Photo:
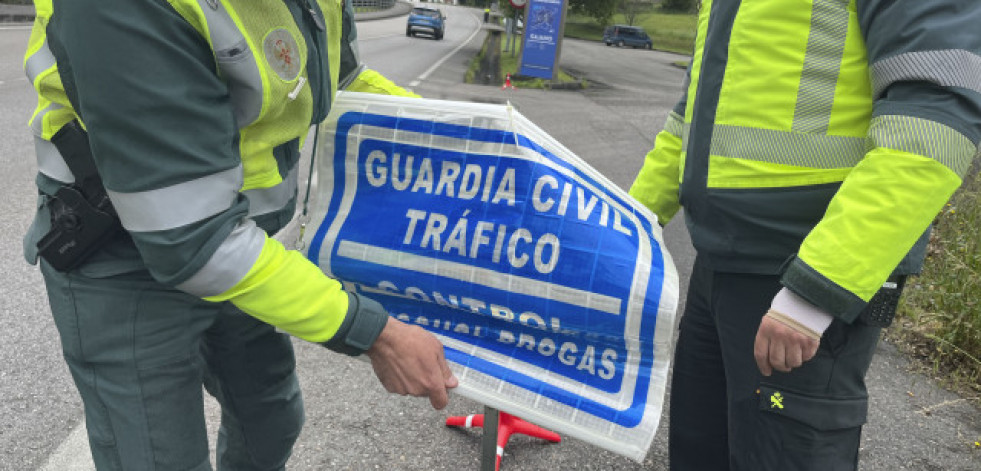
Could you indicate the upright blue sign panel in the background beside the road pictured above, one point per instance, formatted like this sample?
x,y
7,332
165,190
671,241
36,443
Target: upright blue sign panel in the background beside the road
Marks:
x,y
541,38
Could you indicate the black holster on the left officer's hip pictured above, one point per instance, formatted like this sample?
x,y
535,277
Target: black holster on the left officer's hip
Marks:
x,y
82,217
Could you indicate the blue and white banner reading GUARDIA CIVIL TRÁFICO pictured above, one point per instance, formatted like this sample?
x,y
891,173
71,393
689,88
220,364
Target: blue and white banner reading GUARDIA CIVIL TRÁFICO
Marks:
x,y
549,286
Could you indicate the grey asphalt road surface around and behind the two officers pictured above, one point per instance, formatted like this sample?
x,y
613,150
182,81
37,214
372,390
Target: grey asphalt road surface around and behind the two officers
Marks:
x,y
352,424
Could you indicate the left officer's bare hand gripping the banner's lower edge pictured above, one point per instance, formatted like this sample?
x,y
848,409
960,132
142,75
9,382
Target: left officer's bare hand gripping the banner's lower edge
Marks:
x,y
409,360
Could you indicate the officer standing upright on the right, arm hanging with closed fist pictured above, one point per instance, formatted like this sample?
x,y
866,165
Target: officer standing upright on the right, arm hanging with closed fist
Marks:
x,y
815,143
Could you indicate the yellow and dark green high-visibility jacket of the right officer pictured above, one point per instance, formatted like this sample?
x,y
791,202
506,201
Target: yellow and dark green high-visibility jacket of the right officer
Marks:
x,y
819,138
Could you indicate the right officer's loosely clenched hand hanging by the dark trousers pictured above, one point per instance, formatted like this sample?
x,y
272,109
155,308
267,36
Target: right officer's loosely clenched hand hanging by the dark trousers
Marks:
x,y
779,347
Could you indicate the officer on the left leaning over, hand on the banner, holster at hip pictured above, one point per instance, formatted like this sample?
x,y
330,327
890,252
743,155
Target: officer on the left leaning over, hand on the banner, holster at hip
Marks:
x,y
168,135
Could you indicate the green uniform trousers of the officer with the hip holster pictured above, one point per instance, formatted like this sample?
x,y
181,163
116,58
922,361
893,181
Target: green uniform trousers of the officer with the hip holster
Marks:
x,y
139,353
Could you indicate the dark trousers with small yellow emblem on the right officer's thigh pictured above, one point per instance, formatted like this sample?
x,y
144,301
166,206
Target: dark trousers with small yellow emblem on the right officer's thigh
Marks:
x,y
725,415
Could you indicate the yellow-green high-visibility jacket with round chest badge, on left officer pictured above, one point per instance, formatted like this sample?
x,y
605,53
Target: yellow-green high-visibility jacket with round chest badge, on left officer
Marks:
x,y
196,112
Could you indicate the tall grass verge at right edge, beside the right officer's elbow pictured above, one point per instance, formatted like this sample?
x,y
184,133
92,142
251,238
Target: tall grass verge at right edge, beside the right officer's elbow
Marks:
x,y
940,317
